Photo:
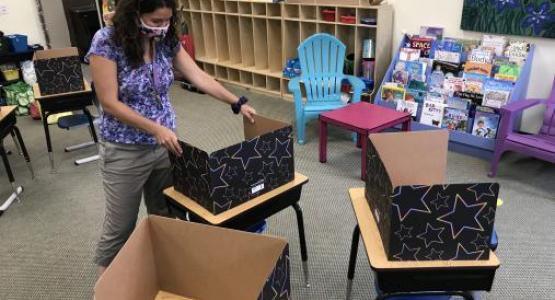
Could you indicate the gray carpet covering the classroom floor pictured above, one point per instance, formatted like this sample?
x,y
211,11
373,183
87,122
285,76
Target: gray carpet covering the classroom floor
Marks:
x,y
47,241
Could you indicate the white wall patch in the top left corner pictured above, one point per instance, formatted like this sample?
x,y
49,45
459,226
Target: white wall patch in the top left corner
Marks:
x,y
22,17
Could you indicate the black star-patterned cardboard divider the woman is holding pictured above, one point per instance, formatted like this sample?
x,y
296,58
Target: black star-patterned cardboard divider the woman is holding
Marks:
x,y
233,175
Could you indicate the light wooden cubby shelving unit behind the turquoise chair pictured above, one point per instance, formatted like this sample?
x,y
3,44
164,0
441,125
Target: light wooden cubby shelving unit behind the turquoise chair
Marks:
x,y
248,42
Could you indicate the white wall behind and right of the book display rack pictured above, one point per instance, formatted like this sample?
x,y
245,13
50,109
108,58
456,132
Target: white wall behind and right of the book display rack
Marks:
x,y
411,14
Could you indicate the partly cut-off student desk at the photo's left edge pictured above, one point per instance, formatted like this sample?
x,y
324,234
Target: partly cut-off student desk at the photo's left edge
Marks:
x,y
7,126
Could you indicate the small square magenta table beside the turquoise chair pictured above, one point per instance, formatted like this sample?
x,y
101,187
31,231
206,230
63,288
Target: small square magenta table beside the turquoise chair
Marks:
x,y
362,118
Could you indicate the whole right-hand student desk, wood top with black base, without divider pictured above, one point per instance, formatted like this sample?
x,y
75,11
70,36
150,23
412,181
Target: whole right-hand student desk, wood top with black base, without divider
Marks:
x,y
396,278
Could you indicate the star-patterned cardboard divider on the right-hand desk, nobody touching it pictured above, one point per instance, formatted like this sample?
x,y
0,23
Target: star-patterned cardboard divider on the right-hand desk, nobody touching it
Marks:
x,y
419,215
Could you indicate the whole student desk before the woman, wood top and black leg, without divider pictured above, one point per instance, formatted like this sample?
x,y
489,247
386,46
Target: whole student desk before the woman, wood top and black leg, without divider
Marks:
x,y
246,215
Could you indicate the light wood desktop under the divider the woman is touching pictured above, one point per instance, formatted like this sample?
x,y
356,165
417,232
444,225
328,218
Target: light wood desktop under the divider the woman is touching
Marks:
x,y
202,212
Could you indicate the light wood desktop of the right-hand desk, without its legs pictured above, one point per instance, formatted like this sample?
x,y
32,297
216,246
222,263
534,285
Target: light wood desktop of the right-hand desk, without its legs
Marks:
x,y
376,252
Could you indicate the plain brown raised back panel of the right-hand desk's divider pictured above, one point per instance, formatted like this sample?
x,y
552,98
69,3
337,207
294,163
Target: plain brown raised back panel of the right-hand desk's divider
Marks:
x,y
413,158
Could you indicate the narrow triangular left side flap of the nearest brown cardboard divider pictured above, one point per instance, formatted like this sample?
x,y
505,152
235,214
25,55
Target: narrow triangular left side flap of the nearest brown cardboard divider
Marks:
x,y
132,274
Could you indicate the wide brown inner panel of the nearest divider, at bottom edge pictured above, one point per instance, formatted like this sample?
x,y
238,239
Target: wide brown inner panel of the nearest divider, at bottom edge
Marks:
x,y
211,263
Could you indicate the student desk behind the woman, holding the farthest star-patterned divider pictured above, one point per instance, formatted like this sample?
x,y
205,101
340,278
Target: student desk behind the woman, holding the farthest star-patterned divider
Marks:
x,y
53,104
